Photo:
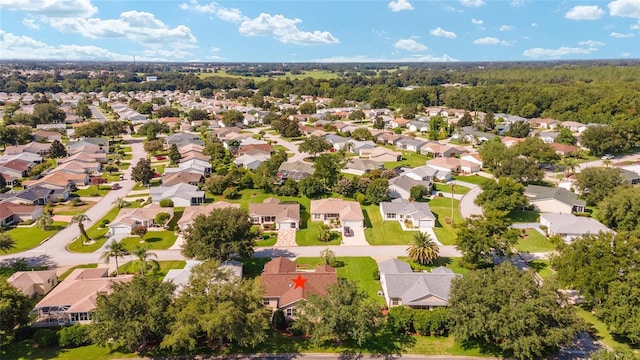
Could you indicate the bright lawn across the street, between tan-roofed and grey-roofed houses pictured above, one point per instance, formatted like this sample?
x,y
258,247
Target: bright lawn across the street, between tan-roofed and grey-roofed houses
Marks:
x,y
380,232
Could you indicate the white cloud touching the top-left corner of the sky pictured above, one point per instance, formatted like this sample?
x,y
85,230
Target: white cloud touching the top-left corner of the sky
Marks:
x,y
52,8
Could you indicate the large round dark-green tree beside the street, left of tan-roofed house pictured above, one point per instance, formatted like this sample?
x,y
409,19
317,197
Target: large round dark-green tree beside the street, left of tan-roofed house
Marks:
x,y
222,233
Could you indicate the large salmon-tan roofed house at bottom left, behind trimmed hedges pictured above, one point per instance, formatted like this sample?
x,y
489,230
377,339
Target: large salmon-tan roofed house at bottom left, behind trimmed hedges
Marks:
x,y
74,299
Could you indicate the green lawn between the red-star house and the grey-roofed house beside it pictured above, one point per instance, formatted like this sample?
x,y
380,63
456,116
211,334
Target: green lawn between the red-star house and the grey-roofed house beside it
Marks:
x,y
360,270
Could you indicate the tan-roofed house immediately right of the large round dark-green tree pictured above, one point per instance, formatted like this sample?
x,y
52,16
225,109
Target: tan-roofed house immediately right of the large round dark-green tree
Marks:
x,y
285,215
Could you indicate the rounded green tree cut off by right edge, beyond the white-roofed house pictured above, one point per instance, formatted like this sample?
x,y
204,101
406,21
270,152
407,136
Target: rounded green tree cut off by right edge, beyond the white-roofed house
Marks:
x,y
621,210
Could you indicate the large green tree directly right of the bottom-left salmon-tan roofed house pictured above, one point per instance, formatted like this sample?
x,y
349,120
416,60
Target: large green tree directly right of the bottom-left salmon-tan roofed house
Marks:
x,y
134,315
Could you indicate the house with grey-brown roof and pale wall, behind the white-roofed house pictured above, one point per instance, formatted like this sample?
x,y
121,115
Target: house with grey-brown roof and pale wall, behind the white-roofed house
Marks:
x,y
554,200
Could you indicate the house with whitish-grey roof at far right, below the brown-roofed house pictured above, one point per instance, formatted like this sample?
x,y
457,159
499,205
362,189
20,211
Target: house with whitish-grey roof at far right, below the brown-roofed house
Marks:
x,y
569,226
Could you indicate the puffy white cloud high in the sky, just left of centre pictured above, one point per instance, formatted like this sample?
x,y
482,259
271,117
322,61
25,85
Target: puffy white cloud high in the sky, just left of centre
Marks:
x,y
285,30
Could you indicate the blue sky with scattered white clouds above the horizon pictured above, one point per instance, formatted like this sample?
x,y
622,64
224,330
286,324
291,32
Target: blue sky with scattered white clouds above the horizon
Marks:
x,y
319,30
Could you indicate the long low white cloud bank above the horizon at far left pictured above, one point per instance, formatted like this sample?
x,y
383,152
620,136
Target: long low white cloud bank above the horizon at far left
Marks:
x,y
24,47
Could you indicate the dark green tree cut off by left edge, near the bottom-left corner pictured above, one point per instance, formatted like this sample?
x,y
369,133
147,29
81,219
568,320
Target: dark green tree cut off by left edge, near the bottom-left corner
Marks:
x,y
14,307
